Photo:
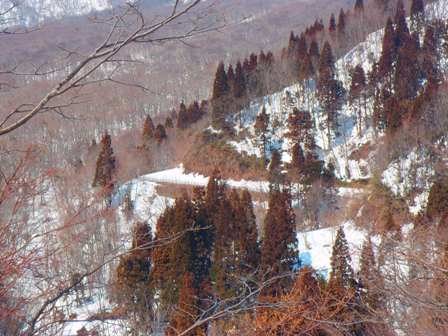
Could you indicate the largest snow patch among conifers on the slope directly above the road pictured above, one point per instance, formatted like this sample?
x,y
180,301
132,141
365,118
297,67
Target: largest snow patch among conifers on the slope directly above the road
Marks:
x,y
279,106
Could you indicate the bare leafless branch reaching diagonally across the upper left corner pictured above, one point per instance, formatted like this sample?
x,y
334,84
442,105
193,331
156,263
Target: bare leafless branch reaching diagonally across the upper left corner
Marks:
x,y
127,26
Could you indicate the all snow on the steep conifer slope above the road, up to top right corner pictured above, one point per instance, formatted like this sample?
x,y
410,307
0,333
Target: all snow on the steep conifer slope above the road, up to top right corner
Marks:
x,y
344,149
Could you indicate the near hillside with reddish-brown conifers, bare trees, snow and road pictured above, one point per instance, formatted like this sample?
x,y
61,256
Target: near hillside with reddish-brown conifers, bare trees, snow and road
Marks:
x,y
305,195
